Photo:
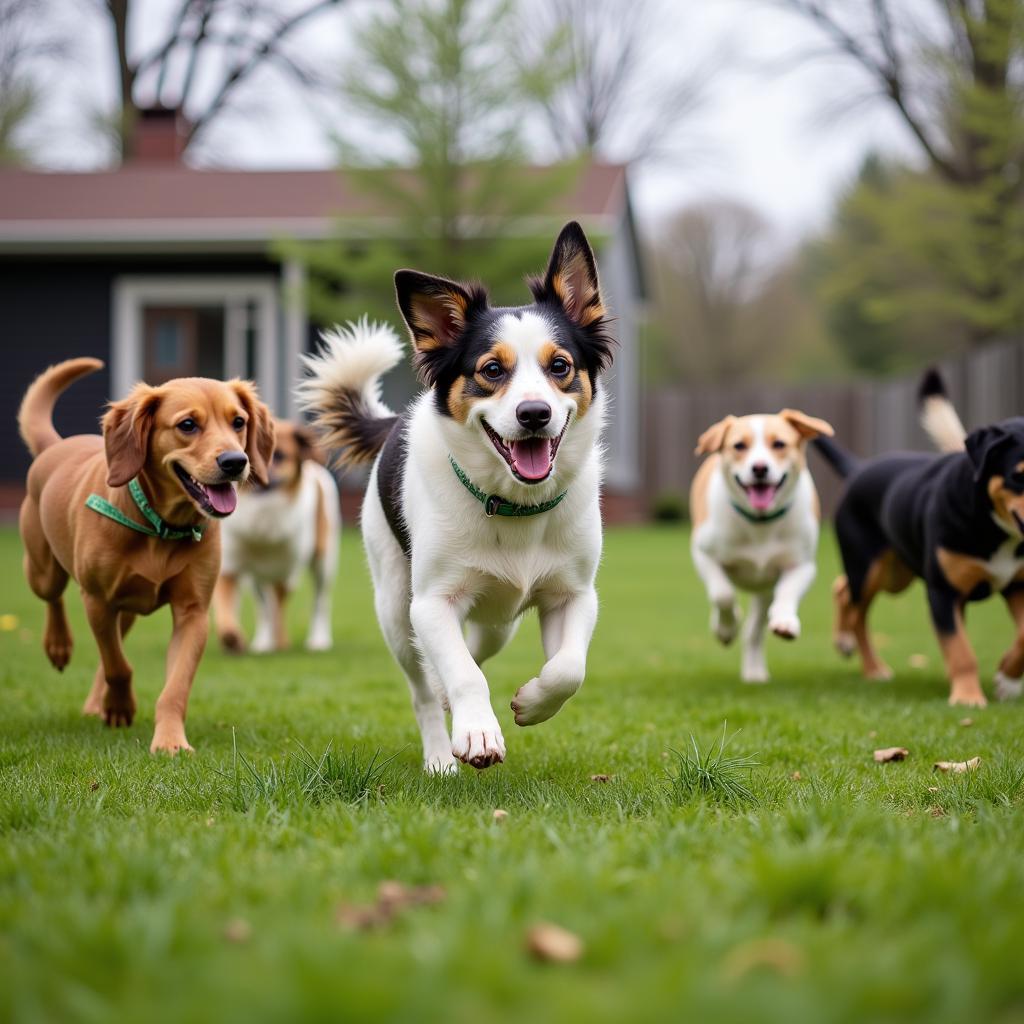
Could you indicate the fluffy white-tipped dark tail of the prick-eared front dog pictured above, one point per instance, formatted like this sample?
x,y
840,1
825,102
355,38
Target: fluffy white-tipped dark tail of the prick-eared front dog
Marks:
x,y
343,389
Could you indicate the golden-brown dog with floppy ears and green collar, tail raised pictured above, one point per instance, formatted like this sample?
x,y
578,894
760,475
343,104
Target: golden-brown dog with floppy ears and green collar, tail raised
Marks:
x,y
187,443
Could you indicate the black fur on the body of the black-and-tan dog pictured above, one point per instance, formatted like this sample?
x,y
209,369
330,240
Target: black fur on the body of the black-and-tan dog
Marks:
x,y
917,504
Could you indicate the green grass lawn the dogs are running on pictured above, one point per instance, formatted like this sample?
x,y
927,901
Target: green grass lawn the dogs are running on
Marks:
x,y
208,888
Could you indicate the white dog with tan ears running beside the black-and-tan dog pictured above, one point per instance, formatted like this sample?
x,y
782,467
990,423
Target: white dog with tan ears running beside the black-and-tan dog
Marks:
x,y
756,519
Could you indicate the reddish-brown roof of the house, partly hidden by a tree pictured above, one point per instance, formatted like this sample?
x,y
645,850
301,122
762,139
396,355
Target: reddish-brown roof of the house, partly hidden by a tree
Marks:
x,y
179,203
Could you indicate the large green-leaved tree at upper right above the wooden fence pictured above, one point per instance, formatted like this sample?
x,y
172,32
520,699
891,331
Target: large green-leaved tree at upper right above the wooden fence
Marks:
x,y
940,249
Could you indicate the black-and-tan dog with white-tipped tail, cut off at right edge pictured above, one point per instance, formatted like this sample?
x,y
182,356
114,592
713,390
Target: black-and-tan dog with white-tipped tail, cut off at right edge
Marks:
x,y
956,521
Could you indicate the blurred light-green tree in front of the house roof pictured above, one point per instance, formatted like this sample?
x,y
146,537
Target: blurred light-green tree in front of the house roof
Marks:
x,y
435,142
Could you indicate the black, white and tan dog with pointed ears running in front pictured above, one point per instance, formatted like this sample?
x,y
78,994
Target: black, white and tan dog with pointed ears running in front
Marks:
x,y
483,501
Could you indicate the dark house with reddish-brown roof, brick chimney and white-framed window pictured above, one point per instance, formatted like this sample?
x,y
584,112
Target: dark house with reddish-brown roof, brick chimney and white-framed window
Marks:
x,y
163,271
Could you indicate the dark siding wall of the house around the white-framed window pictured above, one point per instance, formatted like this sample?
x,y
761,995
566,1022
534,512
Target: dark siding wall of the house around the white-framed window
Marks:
x,y
58,309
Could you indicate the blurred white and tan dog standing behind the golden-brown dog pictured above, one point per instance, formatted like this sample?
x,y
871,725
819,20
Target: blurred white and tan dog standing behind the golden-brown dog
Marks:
x,y
280,531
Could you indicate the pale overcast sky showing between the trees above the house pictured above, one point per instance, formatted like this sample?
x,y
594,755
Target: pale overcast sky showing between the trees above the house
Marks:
x,y
761,138
